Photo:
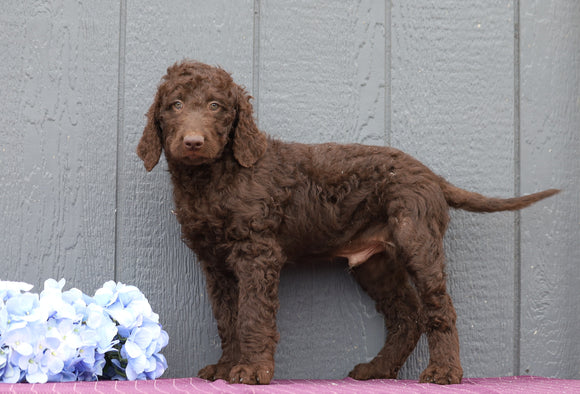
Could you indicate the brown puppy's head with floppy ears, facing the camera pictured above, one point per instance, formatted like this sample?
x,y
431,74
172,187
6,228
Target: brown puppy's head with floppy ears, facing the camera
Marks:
x,y
197,111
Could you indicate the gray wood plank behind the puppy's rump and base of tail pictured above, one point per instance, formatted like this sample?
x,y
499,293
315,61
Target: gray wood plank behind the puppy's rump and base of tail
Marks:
x,y
453,109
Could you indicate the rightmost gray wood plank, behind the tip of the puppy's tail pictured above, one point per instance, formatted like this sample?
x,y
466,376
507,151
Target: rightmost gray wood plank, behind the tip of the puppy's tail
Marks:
x,y
550,146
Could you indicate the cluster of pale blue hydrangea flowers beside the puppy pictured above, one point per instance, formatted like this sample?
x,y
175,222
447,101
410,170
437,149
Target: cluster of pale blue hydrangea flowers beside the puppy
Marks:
x,y
66,336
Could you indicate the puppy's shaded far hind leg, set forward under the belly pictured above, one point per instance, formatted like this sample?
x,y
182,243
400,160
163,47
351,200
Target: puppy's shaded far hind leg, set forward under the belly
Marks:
x,y
387,283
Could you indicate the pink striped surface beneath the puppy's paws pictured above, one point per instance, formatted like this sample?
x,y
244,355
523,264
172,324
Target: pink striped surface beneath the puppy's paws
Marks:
x,y
512,384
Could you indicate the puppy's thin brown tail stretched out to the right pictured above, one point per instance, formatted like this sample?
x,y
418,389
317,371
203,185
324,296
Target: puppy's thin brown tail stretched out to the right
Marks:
x,y
474,202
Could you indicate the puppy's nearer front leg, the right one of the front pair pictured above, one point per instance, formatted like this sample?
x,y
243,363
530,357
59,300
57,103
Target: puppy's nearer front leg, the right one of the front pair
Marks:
x,y
257,266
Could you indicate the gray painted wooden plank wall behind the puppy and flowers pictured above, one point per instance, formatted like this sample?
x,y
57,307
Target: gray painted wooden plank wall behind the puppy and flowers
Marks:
x,y
487,93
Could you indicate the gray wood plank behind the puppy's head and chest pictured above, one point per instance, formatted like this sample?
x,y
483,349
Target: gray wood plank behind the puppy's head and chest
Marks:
x,y
150,252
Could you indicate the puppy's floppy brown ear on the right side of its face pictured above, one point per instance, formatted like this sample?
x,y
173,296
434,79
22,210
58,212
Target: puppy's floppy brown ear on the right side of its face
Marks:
x,y
249,142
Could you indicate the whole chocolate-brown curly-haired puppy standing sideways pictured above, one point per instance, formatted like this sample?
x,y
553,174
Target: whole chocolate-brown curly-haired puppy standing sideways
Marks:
x,y
248,203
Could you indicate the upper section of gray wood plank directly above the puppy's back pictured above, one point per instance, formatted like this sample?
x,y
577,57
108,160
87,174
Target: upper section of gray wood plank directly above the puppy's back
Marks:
x,y
322,71
